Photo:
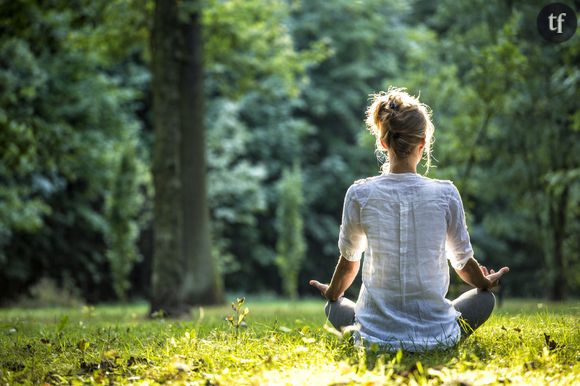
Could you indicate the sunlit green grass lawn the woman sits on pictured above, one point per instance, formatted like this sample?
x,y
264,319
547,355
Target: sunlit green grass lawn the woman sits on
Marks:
x,y
284,343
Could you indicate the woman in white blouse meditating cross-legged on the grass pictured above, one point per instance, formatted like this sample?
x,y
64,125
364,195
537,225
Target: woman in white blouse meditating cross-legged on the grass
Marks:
x,y
408,226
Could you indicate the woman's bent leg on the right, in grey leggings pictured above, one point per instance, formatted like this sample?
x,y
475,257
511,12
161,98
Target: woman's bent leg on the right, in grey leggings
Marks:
x,y
475,306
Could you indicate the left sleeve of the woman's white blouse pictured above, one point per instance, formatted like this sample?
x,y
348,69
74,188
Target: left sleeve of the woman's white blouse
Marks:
x,y
352,240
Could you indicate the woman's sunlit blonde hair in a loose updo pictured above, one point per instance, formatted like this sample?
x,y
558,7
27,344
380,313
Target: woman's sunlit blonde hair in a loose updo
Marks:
x,y
402,122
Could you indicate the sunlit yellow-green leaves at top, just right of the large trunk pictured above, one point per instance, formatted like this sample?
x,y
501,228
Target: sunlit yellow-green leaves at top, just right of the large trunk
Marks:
x,y
247,43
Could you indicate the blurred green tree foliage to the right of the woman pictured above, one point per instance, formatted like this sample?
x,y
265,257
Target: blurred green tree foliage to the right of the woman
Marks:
x,y
497,126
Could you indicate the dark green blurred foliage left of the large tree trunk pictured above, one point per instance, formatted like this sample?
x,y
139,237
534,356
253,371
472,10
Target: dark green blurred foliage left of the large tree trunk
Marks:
x,y
65,122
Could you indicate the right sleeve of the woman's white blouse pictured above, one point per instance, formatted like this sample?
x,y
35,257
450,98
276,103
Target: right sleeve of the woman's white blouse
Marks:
x,y
457,235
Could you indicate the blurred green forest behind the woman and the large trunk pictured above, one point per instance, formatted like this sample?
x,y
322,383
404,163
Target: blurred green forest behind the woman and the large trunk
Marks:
x,y
286,84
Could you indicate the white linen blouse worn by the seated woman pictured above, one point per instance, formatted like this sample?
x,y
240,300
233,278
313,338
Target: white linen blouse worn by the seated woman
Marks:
x,y
408,226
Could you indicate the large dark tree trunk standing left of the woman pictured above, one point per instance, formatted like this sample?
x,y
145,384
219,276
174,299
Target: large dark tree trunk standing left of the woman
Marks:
x,y
184,272
